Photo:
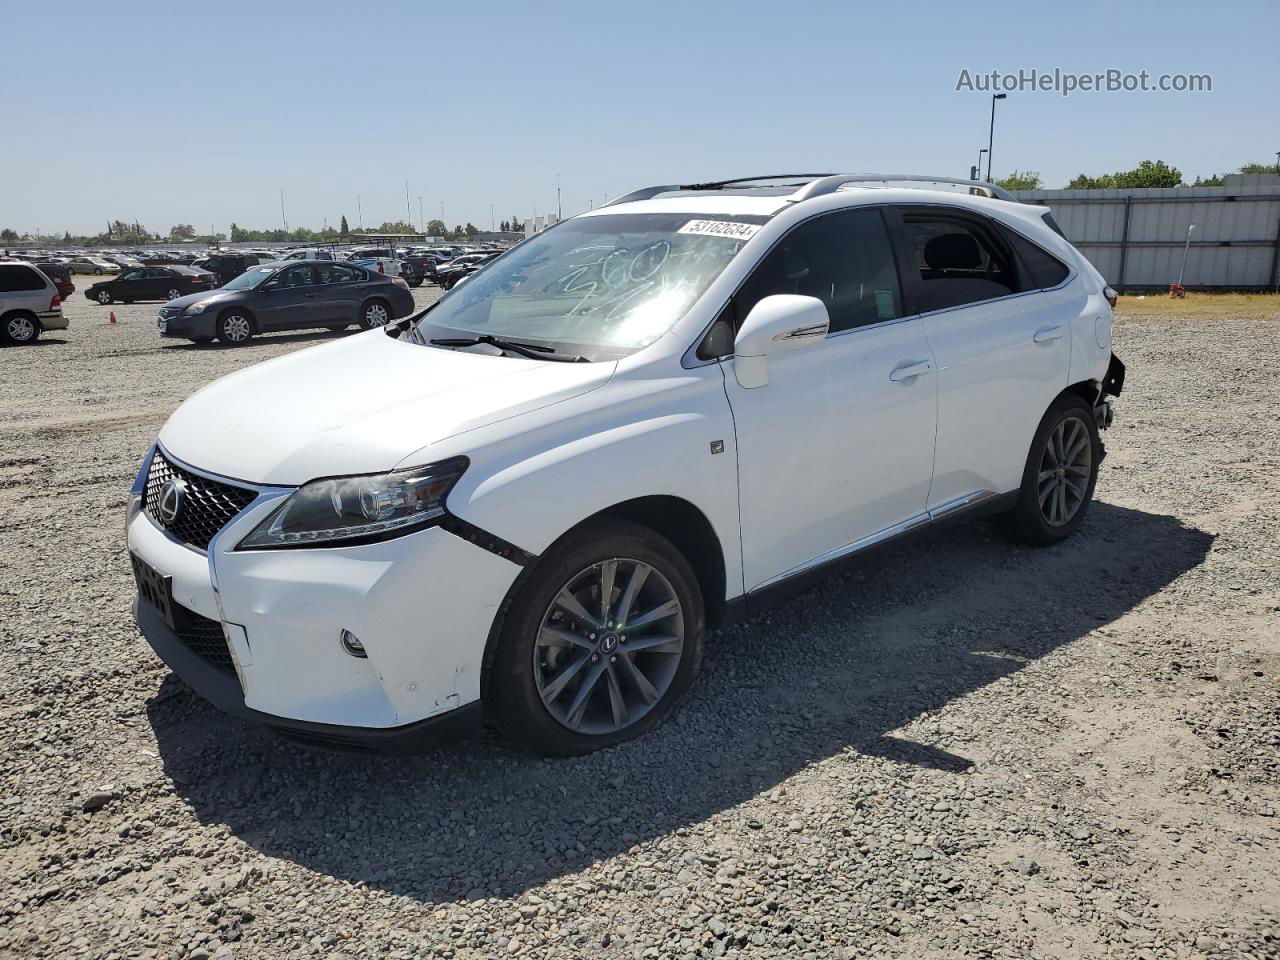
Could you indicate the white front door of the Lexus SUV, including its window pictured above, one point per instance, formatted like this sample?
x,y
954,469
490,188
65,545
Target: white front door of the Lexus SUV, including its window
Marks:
x,y
838,449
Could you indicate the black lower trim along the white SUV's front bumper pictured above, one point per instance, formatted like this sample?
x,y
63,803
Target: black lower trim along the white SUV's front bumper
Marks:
x,y
225,693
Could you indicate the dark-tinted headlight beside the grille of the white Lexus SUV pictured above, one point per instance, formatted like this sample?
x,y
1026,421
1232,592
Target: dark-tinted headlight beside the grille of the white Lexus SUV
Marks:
x,y
359,509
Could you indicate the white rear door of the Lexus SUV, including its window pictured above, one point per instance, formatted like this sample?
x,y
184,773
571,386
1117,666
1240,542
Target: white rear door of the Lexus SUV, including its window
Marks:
x,y
1002,346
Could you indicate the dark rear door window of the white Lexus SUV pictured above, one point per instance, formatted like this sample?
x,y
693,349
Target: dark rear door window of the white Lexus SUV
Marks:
x,y
959,260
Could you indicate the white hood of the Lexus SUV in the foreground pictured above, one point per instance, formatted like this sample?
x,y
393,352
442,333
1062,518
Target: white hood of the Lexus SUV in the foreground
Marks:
x,y
359,406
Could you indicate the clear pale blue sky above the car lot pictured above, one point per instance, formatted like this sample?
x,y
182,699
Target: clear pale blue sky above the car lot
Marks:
x,y
167,113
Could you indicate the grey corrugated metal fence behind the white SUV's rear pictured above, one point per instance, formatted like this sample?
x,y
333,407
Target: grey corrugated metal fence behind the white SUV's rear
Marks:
x,y
1137,237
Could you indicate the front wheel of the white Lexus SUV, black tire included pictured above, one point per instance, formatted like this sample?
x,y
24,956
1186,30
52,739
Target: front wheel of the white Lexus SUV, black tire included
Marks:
x,y
545,655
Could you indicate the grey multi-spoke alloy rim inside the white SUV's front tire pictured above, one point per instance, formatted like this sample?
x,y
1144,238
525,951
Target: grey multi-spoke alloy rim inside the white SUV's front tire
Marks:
x,y
609,647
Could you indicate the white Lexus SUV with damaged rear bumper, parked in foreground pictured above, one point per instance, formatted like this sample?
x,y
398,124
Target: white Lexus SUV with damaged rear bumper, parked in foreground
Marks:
x,y
531,502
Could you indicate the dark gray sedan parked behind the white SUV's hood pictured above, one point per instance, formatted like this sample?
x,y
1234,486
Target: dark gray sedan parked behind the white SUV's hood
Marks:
x,y
289,296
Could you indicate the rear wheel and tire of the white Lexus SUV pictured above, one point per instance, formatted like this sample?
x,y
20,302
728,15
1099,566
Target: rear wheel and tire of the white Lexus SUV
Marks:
x,y
1060,476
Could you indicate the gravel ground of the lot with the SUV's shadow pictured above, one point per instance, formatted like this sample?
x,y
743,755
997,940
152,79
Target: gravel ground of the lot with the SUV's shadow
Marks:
x,y
966,749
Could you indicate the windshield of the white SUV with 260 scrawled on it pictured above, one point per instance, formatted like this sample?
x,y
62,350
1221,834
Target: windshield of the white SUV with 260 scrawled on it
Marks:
x,y
596,286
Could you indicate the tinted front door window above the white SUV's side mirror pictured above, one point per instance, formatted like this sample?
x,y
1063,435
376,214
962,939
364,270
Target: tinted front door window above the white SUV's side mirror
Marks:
x,y
843,259
